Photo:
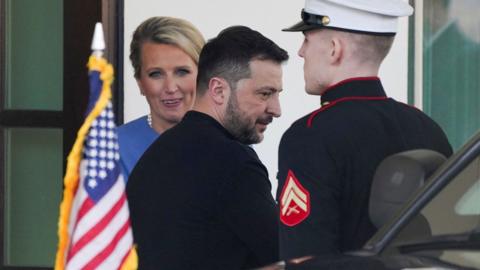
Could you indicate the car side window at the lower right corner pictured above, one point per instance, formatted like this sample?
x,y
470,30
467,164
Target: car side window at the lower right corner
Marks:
x,y
452,216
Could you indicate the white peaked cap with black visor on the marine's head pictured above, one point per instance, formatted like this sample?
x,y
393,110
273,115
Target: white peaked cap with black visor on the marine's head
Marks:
x,y
364,16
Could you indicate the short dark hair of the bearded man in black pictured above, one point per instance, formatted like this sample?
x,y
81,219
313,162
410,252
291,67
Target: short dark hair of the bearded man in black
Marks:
x,y
229,54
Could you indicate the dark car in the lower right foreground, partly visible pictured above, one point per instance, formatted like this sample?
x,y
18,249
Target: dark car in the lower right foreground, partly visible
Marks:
x,y
438,227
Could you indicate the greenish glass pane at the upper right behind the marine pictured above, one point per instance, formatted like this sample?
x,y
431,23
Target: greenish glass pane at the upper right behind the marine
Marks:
x,y
451,66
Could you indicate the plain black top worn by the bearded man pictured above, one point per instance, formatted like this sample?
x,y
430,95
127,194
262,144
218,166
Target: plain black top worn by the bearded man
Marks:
x,y
199,199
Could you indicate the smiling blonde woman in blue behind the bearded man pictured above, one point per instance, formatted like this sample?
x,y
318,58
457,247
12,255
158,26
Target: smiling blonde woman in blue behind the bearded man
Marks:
x,y
164,53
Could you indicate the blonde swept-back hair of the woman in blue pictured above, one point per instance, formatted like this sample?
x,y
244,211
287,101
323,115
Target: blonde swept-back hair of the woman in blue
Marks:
x,y
165,30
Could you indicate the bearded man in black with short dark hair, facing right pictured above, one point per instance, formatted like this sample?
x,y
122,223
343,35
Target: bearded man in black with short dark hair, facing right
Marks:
x,y
200,197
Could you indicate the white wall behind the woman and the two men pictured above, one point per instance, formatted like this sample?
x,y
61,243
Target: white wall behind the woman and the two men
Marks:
x,y
267,17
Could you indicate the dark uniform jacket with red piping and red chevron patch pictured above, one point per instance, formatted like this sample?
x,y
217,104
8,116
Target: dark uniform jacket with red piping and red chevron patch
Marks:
x,y
327,160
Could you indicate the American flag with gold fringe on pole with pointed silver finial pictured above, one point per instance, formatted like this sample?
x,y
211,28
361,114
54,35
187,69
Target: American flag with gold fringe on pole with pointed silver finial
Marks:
x,y
79,194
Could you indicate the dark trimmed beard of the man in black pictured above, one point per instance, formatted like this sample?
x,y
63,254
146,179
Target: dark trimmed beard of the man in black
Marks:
x,y
240,127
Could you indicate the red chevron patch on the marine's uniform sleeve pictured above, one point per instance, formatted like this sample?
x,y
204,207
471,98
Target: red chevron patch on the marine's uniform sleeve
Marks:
x,y
294,201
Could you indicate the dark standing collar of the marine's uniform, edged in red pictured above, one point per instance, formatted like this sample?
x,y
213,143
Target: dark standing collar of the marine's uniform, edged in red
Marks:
x,y
353,87
